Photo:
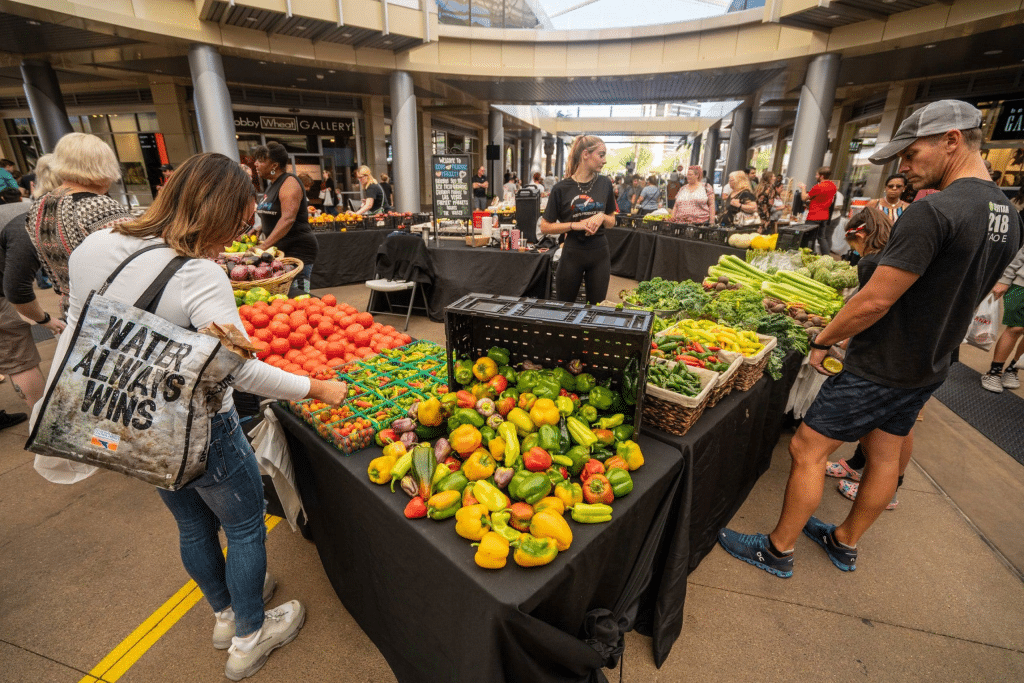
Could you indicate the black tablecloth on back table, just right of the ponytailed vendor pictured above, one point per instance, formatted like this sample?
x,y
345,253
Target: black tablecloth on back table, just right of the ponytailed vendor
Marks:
x,y
641,255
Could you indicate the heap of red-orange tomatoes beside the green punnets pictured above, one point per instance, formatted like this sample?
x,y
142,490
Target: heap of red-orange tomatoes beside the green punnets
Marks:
x,y
313,336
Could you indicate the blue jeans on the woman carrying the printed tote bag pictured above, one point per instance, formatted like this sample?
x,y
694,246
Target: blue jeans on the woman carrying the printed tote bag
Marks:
x,y
230,494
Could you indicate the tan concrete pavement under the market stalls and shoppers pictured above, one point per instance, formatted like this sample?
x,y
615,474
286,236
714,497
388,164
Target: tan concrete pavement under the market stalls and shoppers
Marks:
x,y
91,581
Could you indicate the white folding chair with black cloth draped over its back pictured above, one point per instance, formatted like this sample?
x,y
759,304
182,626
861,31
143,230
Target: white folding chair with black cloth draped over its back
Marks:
x,y
404,257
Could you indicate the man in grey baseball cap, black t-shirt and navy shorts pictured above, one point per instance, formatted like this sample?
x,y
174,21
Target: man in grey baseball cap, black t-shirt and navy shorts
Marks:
x,y
946,254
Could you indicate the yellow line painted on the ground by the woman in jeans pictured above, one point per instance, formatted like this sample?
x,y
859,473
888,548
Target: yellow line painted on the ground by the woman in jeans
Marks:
x,y
122,658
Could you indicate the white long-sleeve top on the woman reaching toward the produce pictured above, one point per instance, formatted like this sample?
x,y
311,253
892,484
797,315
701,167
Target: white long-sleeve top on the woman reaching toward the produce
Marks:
x,y
198,295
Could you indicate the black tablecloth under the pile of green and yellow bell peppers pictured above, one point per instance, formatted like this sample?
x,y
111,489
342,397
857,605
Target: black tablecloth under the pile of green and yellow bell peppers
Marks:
x,y
414,588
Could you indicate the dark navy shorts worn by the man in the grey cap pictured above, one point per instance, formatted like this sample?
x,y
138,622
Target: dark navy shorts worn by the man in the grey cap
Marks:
x,y
849,408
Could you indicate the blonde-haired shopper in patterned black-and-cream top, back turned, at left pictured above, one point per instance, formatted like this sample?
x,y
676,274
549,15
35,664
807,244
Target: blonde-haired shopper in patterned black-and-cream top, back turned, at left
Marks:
x,y
60,220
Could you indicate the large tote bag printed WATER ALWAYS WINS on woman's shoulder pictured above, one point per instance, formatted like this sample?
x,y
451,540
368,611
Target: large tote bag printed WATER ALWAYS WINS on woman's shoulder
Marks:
x,y
135,393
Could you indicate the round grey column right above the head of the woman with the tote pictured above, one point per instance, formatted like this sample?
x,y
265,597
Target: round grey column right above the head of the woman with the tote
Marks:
x,y
214,104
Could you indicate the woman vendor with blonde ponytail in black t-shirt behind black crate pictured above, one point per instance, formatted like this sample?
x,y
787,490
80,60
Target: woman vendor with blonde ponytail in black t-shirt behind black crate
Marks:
x,y
581,207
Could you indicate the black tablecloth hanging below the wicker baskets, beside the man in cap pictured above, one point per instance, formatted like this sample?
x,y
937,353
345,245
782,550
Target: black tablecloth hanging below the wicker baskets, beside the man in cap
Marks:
x,y
727,452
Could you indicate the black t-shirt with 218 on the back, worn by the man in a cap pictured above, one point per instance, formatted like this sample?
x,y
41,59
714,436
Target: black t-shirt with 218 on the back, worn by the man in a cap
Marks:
x,y
959,242
